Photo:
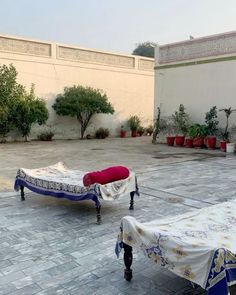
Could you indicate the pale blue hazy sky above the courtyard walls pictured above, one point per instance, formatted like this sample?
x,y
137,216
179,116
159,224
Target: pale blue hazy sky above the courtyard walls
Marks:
x,y
115,25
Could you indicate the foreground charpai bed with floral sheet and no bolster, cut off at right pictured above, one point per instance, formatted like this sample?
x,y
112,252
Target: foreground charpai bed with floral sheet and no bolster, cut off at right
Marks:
x,y
199,246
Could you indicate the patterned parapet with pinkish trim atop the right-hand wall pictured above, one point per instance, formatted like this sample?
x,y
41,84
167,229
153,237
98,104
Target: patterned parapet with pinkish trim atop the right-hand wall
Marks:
x,y
211,46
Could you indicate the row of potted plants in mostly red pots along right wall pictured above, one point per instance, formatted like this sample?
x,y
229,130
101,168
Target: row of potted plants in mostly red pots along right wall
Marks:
x,y
196,135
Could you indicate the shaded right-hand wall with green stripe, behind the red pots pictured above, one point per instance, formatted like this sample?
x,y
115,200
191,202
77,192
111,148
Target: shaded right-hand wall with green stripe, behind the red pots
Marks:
x,y
198,73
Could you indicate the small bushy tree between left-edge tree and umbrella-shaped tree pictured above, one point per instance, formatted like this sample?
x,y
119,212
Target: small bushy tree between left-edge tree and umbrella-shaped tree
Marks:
x,y
28,110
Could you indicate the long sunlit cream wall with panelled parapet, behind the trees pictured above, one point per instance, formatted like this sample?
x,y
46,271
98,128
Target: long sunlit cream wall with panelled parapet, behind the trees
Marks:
x,y
127,80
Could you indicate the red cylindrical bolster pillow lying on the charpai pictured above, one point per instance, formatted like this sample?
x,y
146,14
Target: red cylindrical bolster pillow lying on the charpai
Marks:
x,y
105,176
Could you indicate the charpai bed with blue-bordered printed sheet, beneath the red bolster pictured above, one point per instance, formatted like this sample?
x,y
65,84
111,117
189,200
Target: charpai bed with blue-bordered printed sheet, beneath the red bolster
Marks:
x,y
60,182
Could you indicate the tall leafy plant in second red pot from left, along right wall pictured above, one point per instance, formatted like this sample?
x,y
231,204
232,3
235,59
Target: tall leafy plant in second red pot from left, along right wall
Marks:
x,y
181,121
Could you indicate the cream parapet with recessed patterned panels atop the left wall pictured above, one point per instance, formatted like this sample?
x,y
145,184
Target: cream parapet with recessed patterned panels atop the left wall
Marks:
x,y
14,45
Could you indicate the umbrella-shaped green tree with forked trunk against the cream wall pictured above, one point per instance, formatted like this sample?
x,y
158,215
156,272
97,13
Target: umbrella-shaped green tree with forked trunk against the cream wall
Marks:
x,y
82,103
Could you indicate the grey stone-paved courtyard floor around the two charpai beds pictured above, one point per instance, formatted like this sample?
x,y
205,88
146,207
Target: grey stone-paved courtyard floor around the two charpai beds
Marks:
x,y
50,246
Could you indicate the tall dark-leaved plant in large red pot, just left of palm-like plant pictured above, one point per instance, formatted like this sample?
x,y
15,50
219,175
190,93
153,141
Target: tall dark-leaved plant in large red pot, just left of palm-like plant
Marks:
x,y
211,122
